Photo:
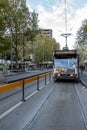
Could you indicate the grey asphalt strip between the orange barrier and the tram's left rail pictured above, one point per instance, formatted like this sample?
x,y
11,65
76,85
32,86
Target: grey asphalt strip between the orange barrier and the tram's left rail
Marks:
x,y
20,115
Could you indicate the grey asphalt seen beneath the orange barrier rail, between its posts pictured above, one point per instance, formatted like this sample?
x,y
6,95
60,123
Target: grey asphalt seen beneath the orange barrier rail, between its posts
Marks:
x,y
13,97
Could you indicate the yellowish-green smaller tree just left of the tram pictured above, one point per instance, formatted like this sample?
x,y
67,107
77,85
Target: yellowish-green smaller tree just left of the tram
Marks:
x,y
44,47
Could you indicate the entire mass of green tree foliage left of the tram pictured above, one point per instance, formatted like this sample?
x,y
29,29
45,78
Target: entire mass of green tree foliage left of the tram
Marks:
x,y
19,27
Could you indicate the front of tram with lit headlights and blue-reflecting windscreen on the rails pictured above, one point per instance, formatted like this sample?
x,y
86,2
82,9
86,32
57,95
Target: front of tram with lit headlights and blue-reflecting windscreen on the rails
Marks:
x,y
66,65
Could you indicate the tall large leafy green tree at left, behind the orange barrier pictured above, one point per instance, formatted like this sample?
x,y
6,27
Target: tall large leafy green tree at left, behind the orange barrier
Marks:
x,y
16,20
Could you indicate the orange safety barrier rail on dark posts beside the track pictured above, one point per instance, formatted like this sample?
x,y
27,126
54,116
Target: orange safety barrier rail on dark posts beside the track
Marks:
x,y
23,82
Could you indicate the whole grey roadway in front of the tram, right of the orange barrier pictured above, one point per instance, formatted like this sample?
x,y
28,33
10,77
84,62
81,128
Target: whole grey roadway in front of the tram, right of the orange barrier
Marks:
x,y
55,107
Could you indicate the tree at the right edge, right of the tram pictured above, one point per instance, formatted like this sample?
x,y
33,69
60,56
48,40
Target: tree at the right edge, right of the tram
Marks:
x,y
81,40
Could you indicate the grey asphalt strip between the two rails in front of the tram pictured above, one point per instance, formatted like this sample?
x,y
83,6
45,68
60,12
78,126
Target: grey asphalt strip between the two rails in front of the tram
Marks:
x,y
61,111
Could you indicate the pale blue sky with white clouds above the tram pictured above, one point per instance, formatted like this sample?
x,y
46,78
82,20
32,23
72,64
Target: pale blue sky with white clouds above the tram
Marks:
x,y
51,15
